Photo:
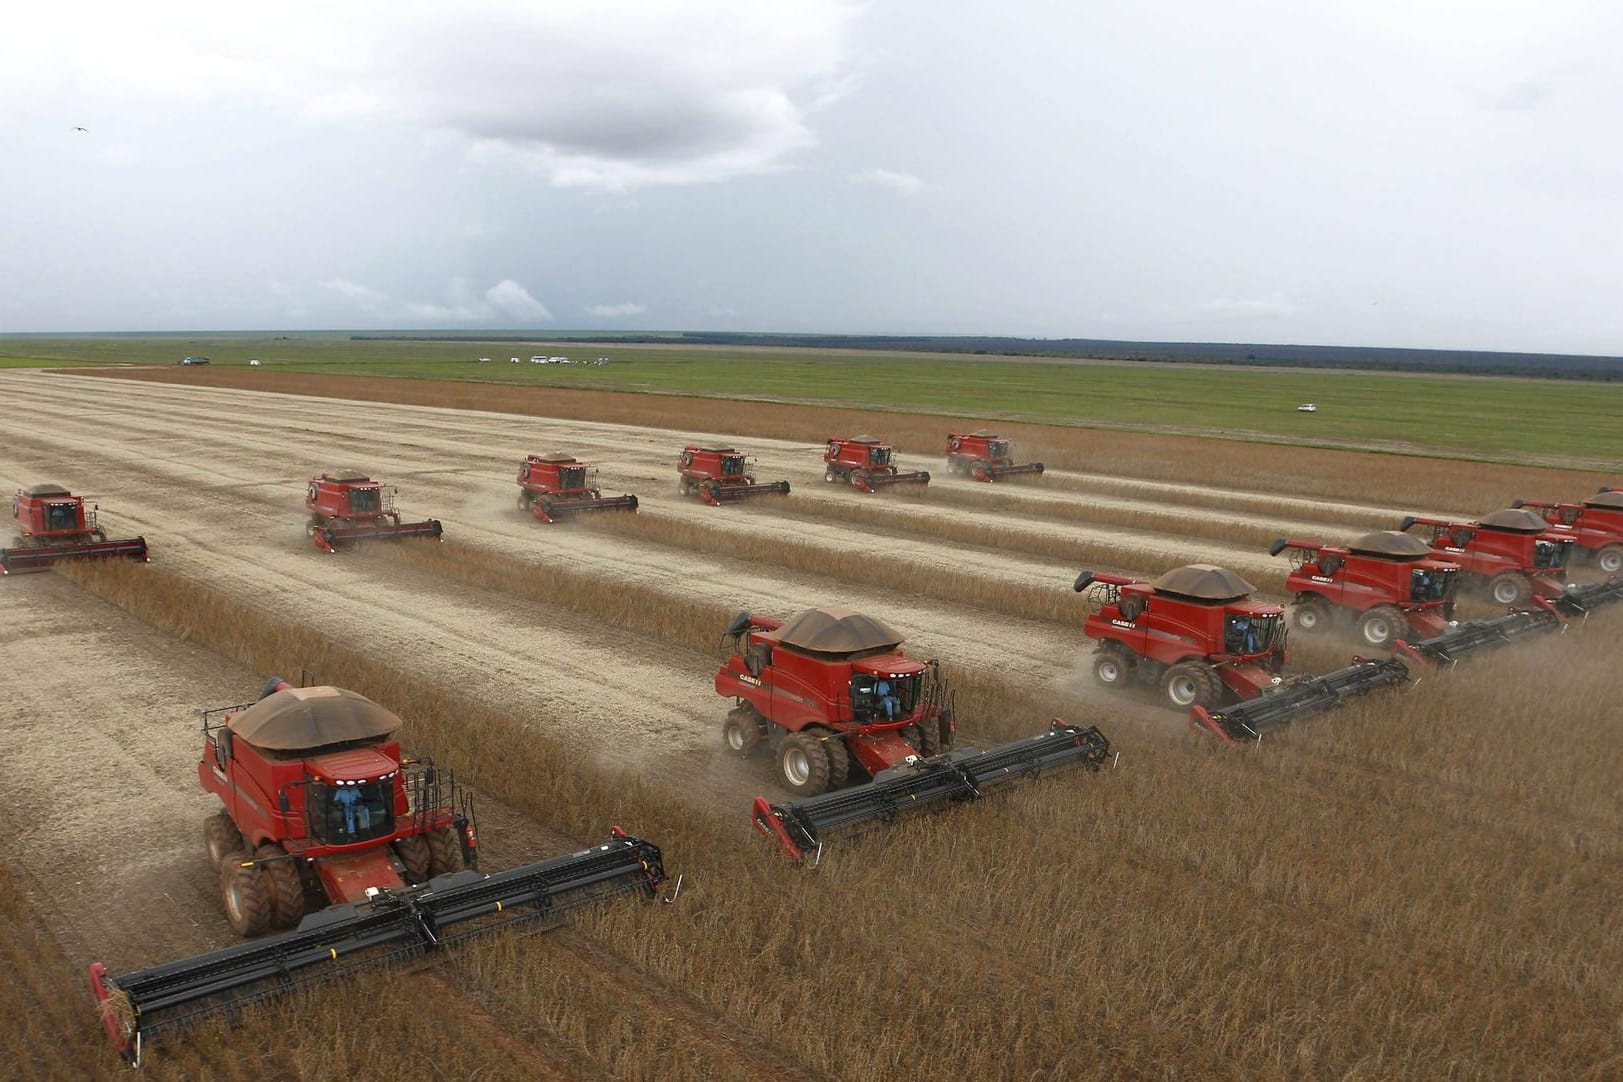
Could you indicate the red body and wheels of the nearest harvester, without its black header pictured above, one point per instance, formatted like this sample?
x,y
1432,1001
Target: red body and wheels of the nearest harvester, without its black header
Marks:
x,y
337,820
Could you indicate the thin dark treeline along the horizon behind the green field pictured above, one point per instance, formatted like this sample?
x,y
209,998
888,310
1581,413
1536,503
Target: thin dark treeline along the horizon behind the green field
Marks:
x,y
1548,366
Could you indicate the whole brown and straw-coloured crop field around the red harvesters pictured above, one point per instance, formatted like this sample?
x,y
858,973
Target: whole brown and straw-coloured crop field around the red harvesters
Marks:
x,y
1419,885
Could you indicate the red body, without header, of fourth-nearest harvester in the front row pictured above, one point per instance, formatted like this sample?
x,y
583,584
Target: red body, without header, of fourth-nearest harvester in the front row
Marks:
x,y
1384,582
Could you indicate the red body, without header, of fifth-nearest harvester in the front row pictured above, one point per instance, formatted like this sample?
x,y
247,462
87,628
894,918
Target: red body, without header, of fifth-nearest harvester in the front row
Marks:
x,y
1513,554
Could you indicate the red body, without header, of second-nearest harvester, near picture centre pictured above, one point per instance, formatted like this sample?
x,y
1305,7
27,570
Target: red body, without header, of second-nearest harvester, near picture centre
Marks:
x,y
829,690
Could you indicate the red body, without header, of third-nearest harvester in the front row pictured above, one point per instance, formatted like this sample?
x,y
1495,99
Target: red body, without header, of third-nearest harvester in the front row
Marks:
x,y
1195,632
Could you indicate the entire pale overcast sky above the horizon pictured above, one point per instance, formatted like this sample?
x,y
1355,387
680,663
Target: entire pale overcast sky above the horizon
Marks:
x,y
1436,174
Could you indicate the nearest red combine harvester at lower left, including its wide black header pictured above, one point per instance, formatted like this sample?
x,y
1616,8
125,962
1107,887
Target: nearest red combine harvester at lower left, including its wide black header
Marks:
x,y
319,802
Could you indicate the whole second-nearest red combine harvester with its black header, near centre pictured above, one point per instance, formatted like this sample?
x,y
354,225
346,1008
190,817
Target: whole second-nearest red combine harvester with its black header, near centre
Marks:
x,y
835,698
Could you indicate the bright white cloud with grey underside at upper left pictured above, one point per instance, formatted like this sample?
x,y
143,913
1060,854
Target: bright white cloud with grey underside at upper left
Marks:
x,y
587,95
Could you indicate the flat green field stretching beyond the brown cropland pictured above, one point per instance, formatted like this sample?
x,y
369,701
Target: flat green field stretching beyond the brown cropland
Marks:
x,y
1510,419
